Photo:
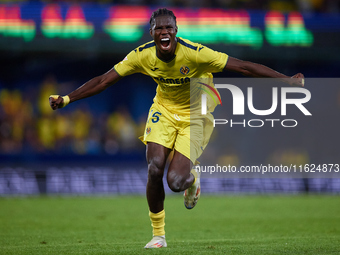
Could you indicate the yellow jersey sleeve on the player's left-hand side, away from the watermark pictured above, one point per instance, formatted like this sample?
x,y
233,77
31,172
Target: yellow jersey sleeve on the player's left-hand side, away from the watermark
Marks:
x,y
129,65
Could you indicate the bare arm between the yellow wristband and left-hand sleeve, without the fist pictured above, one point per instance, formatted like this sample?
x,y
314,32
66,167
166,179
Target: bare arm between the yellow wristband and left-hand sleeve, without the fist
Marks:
x,y
94,86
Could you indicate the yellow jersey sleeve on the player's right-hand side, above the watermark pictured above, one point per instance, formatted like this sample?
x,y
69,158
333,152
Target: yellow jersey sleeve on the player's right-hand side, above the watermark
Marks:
x,y
212,61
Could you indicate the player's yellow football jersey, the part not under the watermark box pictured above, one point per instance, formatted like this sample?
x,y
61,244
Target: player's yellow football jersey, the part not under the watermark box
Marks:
x,y
191,60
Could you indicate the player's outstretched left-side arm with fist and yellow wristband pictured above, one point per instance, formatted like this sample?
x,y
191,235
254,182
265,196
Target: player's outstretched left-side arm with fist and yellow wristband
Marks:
x,y
90,88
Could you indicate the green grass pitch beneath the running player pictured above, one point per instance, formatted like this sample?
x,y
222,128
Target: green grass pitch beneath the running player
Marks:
x,y
218,225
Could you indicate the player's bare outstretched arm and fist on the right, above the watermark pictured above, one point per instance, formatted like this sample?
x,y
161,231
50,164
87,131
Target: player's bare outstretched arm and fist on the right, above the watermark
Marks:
x,y
257,70
